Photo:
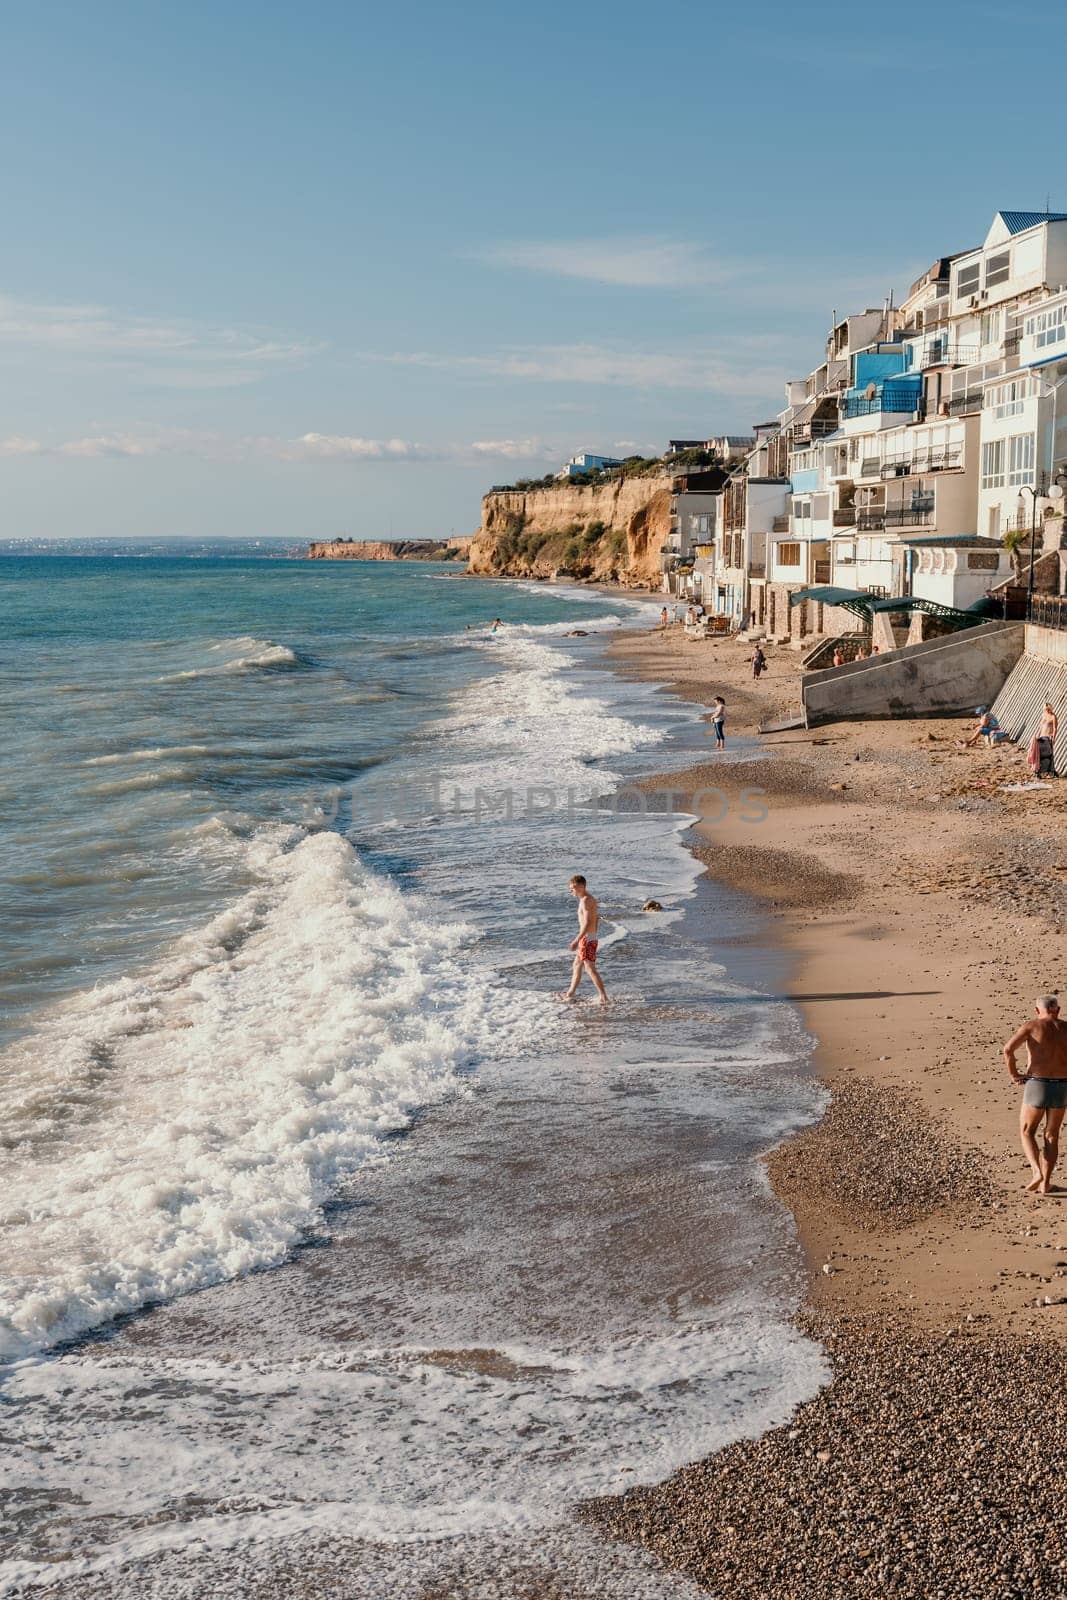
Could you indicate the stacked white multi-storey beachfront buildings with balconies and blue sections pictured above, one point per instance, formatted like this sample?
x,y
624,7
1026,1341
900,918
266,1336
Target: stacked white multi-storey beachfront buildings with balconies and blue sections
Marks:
x,y
929,434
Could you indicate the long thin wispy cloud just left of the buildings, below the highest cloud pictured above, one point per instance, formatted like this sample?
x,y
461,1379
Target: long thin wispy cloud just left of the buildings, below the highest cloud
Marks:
x,y
597,364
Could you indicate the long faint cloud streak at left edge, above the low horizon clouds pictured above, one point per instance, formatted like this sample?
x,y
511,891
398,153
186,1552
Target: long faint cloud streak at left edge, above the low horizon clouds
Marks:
x,y
175,354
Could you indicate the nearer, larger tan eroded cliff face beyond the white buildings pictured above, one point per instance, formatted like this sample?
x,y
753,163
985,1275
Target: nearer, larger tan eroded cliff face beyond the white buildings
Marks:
x,y
607,532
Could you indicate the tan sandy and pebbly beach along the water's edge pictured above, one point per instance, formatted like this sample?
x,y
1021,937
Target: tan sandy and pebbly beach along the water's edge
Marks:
x,y
922,908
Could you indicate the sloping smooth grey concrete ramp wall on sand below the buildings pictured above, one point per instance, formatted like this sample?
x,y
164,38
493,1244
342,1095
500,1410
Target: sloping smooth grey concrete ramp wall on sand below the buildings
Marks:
x,y
941,678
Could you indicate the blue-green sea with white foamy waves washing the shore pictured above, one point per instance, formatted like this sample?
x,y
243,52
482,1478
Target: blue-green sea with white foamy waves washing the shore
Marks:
x,y
337,1255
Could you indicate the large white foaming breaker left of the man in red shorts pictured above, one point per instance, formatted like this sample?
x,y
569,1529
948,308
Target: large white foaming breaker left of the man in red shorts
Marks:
x,y
180,1129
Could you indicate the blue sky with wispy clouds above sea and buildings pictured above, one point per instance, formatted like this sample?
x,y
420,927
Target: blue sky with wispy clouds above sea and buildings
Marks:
x,y
340,268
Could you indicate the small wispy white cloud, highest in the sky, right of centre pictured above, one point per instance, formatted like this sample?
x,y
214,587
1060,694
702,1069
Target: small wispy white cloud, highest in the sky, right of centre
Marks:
x,y
628,263
